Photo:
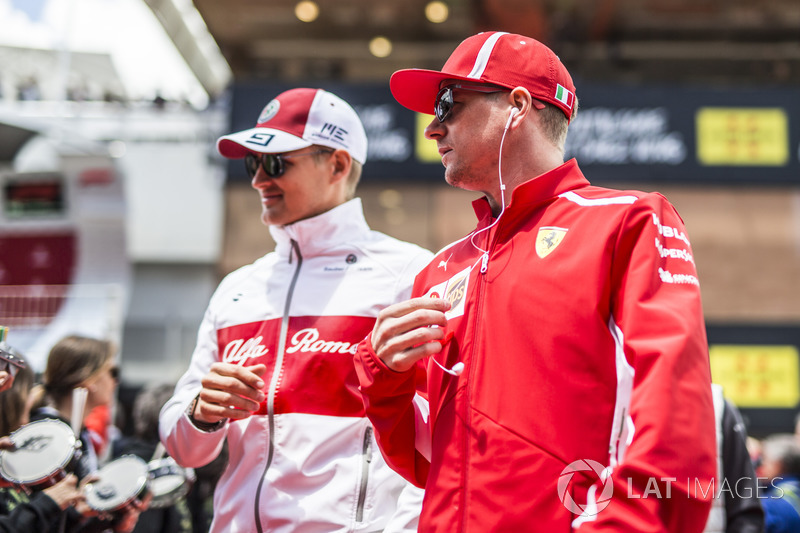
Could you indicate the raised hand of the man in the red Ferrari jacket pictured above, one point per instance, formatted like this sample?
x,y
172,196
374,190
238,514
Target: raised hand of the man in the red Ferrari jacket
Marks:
x,y
403,333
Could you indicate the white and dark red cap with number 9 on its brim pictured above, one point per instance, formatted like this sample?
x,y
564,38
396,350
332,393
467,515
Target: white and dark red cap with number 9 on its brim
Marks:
x,y
298,118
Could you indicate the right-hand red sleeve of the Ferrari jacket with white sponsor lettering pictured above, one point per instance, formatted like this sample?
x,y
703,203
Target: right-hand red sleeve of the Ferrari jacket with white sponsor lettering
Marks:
x,y
664,463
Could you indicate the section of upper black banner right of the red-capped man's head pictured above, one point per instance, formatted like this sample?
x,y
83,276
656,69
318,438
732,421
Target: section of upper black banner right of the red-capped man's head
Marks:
x,y
687,135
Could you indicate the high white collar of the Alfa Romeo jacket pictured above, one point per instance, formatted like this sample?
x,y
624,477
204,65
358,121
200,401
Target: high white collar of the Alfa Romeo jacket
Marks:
x,y
342,224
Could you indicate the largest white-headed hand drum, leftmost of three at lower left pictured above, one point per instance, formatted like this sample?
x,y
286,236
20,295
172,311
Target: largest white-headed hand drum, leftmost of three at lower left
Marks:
x,y
46,451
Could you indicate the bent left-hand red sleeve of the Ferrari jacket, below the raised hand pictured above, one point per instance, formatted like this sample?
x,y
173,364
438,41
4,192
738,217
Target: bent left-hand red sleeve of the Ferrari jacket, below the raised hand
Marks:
x,y
390,403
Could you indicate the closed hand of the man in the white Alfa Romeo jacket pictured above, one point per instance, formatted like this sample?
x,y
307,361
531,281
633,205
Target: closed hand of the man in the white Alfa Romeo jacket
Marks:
x,y
230,391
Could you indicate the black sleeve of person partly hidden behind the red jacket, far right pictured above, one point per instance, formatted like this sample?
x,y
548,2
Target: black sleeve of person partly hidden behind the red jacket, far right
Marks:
x,y
743,511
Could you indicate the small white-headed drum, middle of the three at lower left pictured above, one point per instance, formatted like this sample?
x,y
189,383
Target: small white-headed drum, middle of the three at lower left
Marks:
x,y
120,483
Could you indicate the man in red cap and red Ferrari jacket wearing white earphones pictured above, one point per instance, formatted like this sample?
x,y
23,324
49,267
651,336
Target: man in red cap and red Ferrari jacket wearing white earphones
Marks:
x,y
562,341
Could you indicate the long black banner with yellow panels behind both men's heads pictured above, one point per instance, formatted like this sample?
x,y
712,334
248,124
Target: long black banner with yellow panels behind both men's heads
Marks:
x,y
621,133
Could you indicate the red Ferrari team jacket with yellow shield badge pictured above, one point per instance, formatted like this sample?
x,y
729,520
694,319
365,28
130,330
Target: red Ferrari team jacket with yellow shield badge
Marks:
x,y
585,401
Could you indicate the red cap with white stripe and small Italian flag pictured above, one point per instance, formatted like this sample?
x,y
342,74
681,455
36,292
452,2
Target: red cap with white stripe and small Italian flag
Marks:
x,y
505,59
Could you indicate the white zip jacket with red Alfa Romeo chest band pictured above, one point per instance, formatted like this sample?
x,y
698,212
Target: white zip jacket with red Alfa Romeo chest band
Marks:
x,y
307,461
